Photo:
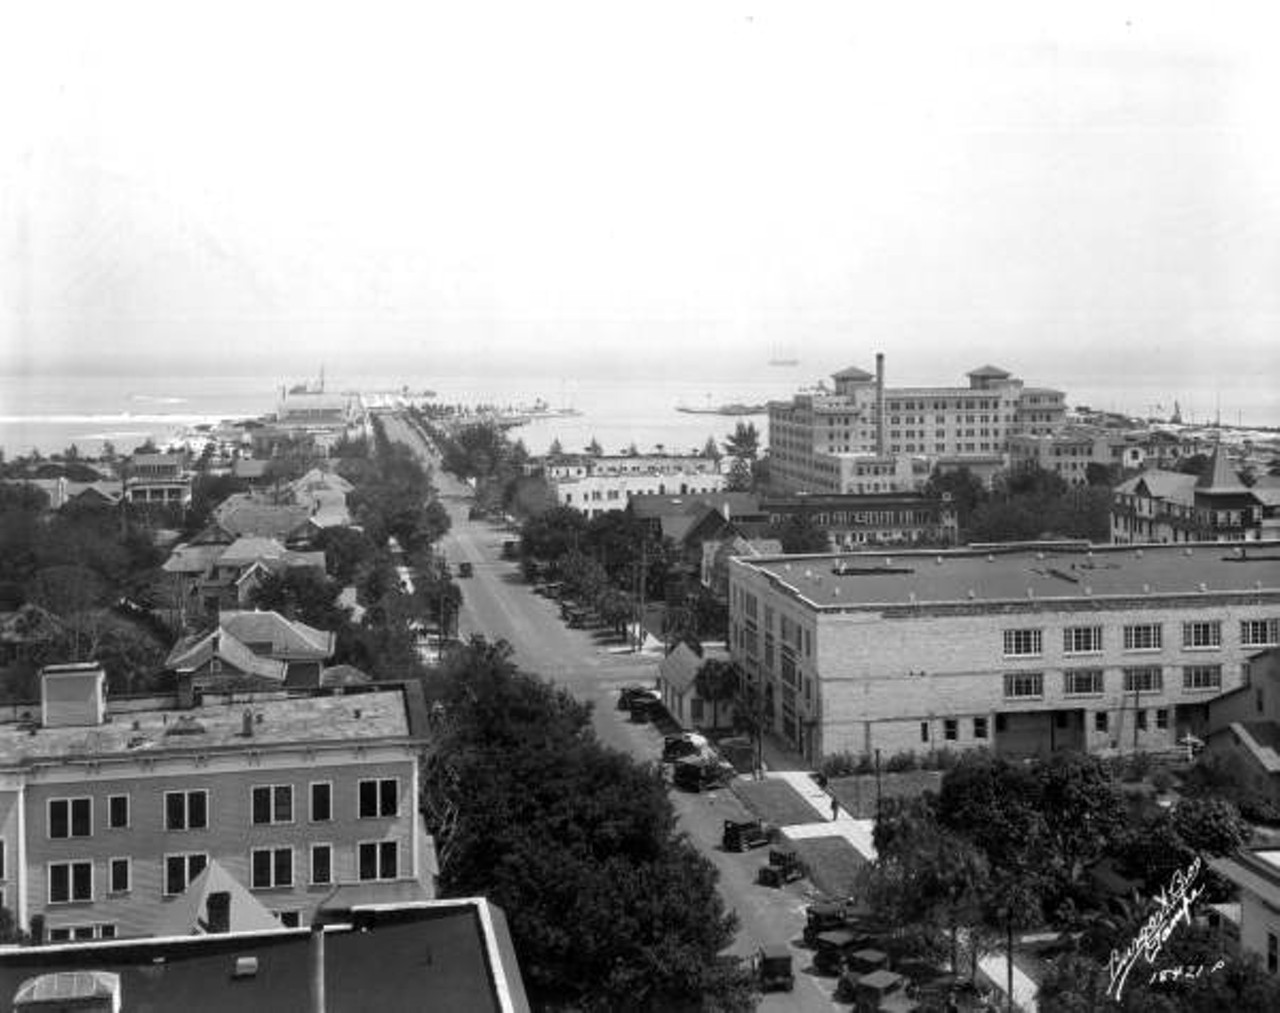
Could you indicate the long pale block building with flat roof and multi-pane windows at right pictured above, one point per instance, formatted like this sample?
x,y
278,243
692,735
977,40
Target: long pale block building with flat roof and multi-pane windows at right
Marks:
x,y
1025,652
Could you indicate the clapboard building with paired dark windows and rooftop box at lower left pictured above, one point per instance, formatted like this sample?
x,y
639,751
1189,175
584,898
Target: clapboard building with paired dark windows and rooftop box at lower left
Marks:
x,y
109,815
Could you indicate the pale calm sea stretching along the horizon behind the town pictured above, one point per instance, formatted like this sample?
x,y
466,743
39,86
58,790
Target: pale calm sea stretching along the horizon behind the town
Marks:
x,y
52,413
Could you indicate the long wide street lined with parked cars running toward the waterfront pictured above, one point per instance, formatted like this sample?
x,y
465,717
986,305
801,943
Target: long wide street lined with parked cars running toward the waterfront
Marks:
x,y
501,606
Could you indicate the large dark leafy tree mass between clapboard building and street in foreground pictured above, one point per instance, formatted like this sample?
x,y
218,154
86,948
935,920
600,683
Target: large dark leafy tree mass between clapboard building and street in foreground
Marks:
x,y
610,905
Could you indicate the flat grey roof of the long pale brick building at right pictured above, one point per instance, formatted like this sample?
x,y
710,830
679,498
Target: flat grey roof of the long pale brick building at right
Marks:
x,y
1050,572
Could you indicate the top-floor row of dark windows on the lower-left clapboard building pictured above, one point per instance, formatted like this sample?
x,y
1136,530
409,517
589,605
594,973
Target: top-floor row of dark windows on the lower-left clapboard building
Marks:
x,y
377,798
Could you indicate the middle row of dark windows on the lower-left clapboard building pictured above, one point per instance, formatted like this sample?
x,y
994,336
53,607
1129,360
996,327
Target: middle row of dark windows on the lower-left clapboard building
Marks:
x,y
72,883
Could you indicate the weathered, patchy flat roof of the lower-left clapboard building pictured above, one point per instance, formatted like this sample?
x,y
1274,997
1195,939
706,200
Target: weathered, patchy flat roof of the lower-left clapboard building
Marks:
x,y
278,720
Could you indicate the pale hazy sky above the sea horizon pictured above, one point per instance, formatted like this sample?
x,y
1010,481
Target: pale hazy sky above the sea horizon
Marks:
x,y
1063,189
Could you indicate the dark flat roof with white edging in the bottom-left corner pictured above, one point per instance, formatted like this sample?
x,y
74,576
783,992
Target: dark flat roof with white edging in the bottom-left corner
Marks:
x,y
451,955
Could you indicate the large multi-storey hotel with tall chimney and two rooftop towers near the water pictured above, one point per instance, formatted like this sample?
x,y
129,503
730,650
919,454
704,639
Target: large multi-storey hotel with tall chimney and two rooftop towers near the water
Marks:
x,y
861,418
